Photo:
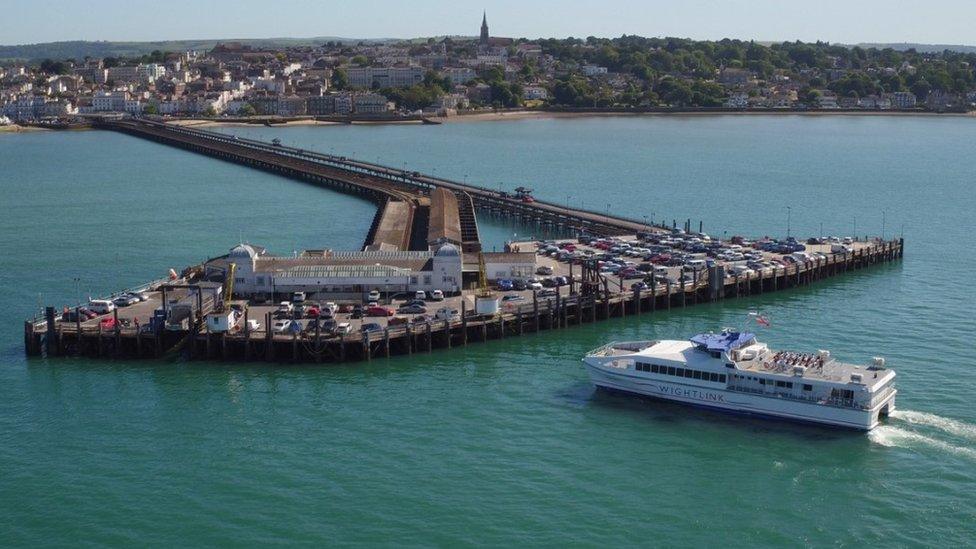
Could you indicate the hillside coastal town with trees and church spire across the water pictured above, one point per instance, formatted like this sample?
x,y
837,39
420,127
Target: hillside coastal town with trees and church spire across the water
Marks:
x,y
438,77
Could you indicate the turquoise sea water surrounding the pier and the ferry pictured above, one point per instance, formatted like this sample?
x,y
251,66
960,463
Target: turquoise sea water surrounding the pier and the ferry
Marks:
x,y
503,443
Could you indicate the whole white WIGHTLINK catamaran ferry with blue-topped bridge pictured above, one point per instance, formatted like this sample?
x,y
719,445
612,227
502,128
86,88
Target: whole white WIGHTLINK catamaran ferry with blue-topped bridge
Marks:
x,y
731,371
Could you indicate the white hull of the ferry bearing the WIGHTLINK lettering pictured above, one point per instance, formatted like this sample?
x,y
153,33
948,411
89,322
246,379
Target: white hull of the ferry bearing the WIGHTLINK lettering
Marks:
x,y
738,402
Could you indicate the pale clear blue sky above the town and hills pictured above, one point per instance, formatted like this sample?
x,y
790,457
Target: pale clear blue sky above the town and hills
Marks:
x,y
933,21
